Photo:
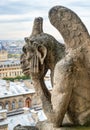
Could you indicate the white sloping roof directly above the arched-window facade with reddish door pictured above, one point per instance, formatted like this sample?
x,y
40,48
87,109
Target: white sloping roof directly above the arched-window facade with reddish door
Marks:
x,y
13,89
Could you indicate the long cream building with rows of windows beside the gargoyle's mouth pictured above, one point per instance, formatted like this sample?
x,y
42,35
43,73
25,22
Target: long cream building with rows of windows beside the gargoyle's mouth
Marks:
x,y
10,68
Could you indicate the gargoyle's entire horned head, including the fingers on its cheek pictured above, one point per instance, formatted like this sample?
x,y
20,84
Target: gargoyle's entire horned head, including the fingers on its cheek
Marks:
x,y
40,51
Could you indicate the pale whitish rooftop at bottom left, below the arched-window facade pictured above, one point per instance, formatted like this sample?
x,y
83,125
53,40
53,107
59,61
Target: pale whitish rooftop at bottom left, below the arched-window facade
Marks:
x,y
25,119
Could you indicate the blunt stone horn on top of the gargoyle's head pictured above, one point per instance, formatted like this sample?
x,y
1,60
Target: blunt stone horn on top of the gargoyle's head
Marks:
x,y
37,26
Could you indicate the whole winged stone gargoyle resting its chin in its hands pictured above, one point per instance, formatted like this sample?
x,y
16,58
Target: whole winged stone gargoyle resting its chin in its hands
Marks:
x,y
69,64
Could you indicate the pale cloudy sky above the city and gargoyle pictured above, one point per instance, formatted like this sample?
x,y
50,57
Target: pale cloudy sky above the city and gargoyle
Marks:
x,y
16,16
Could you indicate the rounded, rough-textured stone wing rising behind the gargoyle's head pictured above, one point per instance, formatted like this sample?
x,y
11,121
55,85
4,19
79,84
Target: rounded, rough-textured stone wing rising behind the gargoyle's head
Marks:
x,y
69,25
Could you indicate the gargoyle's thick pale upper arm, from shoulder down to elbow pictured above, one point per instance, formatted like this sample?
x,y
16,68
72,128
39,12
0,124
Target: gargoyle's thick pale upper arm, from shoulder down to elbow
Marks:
x,y
62,91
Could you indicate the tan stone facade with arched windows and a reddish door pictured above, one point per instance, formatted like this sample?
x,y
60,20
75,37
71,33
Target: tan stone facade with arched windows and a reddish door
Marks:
x,y
16,102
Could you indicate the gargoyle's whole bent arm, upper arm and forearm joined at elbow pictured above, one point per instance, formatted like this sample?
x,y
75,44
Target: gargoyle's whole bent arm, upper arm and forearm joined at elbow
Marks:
x,y
56,103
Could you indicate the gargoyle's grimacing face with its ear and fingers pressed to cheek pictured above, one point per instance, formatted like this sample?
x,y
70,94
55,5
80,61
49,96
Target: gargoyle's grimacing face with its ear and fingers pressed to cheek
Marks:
x,y
33,56
